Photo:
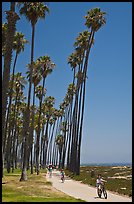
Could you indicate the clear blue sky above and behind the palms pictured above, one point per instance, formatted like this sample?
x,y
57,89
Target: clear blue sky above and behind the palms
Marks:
x,y
107,131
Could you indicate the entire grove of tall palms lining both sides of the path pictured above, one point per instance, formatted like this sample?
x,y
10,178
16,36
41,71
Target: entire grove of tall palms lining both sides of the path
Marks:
x,y
38,134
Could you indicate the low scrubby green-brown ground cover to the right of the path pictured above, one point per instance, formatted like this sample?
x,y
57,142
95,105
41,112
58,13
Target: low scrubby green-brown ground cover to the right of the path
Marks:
x,y
112,184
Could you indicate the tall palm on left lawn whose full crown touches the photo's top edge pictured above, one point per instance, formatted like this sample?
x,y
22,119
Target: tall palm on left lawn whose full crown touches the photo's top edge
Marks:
x,y
33,12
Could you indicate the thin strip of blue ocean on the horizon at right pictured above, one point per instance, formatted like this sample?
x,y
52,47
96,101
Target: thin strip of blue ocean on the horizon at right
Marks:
x,y
106,164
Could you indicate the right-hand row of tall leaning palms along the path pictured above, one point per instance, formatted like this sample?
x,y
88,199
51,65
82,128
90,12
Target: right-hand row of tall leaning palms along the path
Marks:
x,y
74,100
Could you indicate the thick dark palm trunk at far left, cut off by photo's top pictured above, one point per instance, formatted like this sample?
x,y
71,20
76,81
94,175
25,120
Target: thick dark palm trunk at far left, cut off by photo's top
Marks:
x,y
12,18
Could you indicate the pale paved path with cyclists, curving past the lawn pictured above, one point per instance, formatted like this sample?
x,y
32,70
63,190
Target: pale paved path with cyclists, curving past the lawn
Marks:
x,y
82,191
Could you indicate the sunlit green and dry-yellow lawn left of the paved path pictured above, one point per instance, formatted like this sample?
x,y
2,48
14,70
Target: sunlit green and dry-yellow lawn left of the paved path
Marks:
x,y
35,189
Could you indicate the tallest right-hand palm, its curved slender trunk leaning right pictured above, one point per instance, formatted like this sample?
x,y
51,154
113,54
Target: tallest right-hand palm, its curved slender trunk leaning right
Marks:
x,y
94,21
